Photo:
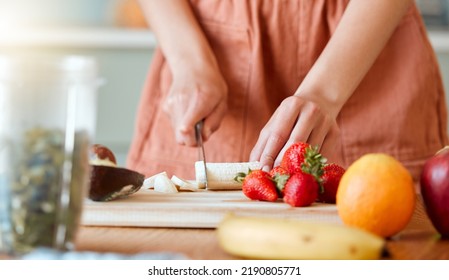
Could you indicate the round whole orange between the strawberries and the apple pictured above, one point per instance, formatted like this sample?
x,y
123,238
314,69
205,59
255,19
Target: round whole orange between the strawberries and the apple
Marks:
x,y
376,193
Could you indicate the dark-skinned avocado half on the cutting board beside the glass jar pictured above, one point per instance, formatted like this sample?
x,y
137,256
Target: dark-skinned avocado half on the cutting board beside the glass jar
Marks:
x,y
109,183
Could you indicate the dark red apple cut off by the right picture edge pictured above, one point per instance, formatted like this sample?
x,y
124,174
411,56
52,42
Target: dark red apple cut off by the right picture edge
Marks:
x,y
435,190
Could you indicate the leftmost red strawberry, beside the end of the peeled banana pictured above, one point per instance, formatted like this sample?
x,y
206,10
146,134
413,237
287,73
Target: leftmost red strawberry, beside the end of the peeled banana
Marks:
x,y
258,185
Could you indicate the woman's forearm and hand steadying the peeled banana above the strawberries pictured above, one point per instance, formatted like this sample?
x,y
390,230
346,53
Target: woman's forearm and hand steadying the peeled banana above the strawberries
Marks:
x,y
310,115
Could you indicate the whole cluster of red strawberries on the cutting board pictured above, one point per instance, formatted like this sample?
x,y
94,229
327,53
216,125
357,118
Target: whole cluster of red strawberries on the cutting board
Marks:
x,y
302,178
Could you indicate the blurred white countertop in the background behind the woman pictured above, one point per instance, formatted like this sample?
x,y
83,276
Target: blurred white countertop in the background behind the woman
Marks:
x,y
109,37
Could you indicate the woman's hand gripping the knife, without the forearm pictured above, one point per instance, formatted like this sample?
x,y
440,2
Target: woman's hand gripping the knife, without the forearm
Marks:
x,y
196,93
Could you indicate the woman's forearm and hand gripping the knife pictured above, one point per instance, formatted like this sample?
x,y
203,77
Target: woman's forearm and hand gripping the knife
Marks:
x,y
198,90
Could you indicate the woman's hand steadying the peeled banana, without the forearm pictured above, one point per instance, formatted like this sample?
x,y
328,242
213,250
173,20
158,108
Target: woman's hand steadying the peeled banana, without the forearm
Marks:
x,y
295,120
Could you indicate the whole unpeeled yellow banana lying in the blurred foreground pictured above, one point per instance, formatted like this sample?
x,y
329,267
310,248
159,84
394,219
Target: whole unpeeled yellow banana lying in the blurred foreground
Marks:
x,y
276,238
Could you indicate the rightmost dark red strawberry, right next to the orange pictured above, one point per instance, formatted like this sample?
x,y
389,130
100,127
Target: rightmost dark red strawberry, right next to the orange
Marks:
x,y
330,180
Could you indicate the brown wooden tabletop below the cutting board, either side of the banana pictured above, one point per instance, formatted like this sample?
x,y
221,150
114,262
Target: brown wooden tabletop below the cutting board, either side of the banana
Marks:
x,y
418,240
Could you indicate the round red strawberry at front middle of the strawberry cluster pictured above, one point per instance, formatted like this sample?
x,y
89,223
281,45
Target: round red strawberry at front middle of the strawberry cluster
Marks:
x,y
301,190
